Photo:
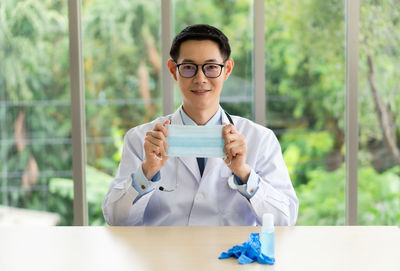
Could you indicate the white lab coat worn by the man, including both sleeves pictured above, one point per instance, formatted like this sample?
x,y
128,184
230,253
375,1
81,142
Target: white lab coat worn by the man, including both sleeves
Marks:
x,y
206,200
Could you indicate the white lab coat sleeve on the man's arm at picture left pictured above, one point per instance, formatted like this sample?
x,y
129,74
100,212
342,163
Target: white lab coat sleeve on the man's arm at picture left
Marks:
x,y
123,205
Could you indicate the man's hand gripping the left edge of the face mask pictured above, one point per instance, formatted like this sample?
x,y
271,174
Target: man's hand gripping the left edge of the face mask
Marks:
x,y
155,147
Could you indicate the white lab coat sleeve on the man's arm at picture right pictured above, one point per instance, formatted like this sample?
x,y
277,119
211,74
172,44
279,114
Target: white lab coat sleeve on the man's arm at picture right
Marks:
x,y
275,193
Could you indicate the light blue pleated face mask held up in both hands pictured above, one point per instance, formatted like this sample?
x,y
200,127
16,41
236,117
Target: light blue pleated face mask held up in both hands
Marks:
x,y
195,141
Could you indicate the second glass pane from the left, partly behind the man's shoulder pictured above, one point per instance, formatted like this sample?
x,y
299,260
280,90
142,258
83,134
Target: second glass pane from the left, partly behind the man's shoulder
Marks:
x,y
122,61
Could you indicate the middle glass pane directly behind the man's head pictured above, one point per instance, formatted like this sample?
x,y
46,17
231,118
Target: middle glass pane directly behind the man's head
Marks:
x,y
235,19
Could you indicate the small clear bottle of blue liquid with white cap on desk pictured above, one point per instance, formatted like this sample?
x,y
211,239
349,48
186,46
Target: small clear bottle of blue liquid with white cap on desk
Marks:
x,y
268,235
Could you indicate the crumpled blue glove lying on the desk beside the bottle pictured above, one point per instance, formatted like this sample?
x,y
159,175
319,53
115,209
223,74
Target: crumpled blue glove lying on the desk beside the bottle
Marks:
x,y
248,252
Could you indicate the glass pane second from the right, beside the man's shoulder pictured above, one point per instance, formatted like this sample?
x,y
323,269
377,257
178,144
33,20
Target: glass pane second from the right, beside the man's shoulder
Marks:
x,y
305,90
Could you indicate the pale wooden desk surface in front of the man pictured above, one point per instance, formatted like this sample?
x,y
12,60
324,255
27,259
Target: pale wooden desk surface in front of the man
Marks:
x,y
195,248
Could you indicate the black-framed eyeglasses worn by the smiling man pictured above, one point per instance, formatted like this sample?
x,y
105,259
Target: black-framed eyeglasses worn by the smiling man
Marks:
x,y
210,70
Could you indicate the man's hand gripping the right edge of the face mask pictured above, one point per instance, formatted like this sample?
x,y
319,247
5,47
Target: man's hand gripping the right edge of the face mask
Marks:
x,y
236,151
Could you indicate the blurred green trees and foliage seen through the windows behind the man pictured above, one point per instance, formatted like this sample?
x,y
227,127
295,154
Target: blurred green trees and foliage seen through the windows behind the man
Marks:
x,y
305,90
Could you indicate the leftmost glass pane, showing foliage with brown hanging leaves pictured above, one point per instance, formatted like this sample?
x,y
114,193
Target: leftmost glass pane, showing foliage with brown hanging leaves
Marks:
x,y
35,134
